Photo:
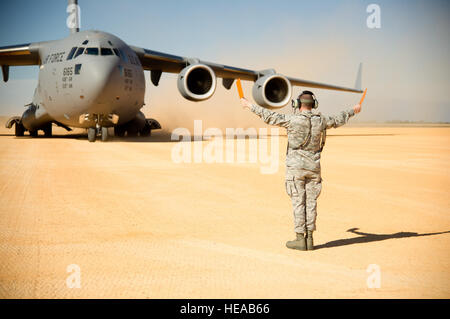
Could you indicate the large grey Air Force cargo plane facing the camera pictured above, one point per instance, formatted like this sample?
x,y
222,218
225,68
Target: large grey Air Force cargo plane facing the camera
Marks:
x,y
94,80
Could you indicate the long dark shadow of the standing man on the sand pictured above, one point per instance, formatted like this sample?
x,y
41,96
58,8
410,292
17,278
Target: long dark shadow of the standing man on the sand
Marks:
x,y
368,238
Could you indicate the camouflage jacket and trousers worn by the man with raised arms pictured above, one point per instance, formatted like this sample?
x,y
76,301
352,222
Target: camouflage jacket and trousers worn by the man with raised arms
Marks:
x,y
306,133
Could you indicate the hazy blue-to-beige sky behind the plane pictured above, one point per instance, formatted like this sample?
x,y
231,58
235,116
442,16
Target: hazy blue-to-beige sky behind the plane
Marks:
x,y
406,61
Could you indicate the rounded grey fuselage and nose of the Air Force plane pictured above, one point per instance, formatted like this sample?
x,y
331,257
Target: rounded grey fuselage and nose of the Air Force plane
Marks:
x,y
88,73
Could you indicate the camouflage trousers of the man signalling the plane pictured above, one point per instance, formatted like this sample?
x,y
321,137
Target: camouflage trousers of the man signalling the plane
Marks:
x,y
304,188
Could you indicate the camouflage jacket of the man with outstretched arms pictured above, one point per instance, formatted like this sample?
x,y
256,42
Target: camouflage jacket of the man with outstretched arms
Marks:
x,y
306,132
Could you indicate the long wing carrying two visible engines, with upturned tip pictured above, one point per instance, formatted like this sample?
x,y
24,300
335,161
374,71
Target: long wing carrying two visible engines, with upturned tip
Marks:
x,y
158,62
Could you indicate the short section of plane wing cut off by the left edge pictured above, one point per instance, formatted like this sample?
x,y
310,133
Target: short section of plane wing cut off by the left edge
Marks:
x,y
14,55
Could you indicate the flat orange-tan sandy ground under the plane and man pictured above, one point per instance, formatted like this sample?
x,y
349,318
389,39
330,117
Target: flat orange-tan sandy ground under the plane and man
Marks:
x,y
139,225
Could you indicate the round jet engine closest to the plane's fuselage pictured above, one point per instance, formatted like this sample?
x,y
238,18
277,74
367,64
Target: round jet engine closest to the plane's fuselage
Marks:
x,y
197,82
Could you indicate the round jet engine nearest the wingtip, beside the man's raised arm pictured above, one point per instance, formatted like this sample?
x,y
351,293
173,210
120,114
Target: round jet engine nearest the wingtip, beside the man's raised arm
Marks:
x,y
272,91
